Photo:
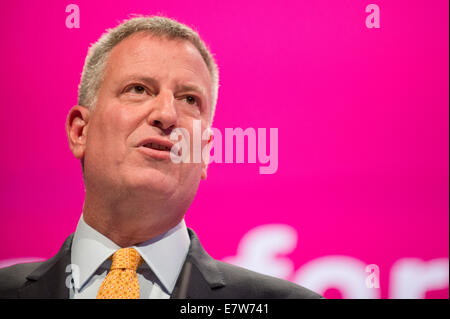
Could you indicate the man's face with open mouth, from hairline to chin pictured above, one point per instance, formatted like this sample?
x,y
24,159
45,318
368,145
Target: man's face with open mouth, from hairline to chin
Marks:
x,y
151,85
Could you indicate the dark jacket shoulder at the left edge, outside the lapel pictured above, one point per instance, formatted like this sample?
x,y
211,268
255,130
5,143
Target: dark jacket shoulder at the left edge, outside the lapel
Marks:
x,y
14,277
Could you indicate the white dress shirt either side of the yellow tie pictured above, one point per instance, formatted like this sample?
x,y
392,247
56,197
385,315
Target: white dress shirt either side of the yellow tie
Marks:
x,y
163,256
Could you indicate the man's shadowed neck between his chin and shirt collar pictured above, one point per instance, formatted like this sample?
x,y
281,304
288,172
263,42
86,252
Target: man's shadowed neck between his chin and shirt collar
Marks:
x,y
128,223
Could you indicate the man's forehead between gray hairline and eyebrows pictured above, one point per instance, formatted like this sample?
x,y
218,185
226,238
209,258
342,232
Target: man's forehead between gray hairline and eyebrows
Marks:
x,y
164,59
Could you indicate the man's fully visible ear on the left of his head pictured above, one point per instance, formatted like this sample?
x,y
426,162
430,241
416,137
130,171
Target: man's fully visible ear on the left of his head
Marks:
x,y
76,129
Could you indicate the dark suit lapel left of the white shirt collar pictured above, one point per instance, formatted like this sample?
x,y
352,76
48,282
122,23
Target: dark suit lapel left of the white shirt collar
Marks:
x,y
48,281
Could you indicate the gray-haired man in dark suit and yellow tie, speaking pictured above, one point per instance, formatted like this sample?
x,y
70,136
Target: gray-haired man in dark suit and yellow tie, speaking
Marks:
x,y
141,81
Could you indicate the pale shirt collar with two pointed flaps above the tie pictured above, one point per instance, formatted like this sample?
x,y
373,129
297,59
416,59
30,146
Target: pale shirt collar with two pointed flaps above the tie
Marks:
x,y
164,254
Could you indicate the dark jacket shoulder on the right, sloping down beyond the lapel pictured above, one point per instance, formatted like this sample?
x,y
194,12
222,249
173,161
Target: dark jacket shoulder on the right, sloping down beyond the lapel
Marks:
x,y
244,283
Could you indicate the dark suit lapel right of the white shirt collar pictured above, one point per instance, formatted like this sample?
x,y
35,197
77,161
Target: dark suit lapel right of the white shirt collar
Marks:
x,y
200,273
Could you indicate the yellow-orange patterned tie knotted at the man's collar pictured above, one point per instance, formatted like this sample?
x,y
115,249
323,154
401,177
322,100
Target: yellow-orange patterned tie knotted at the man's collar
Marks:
x,y
121,281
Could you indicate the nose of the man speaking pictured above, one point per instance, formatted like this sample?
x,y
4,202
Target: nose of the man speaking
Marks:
x,y
163,112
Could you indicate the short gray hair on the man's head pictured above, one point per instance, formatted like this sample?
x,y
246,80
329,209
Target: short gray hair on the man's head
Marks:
x,y
94,66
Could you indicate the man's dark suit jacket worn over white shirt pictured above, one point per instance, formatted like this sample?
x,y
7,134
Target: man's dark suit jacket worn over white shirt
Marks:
x,y
208,278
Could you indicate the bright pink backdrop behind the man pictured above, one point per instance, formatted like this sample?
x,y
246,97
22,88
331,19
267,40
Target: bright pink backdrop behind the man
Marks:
x,y
362,116
